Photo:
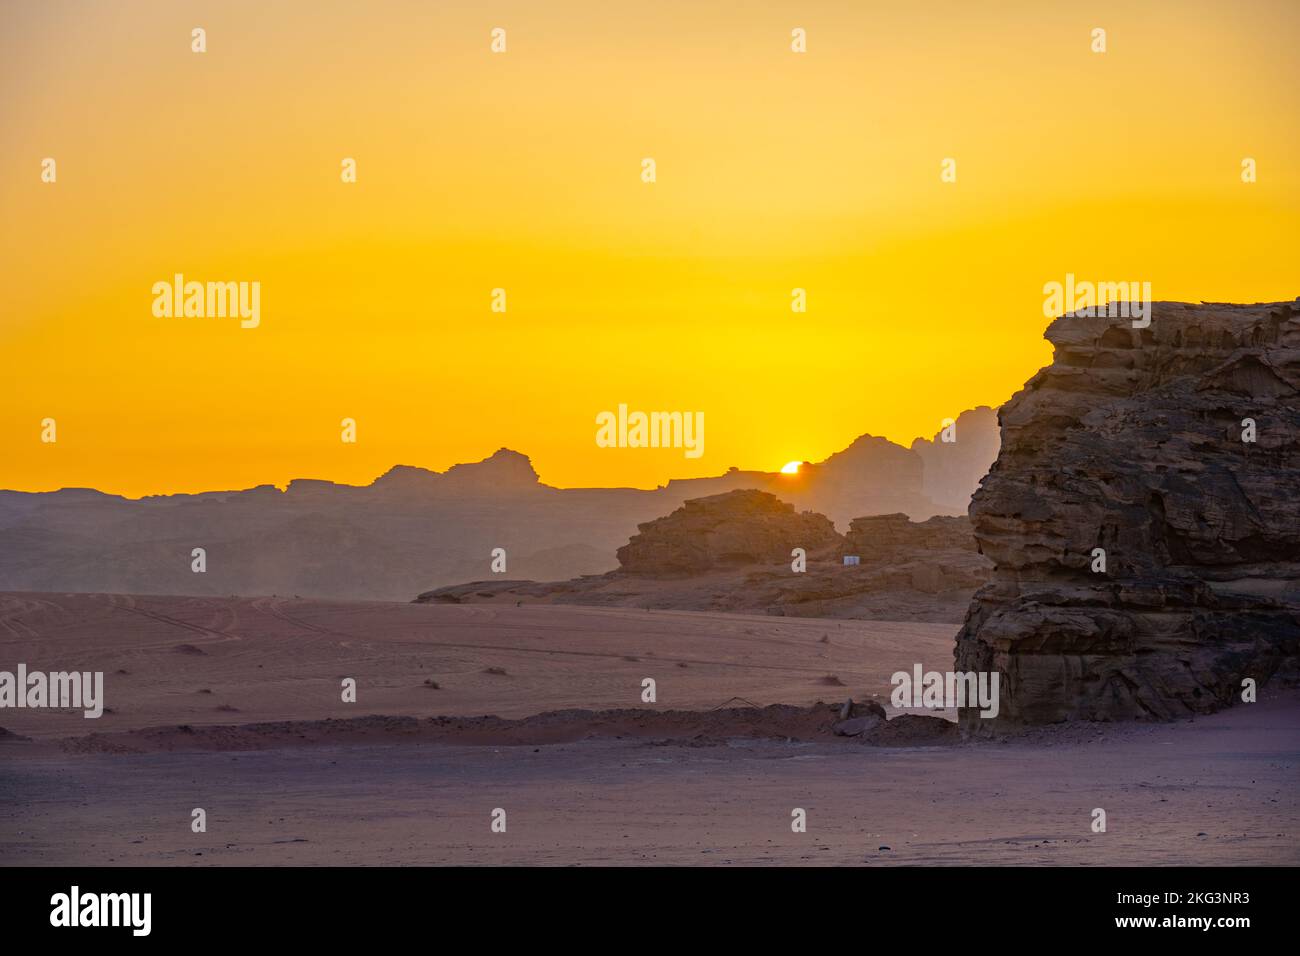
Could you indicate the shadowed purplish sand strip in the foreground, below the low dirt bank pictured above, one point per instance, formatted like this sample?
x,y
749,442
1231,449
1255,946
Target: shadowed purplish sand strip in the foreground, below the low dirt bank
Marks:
x,y
1220,790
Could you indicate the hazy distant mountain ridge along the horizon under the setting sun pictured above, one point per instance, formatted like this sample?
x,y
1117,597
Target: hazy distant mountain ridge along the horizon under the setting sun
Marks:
x,y
414,529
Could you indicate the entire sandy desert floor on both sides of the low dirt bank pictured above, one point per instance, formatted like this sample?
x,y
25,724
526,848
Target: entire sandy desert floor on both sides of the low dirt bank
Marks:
x,y
1217,790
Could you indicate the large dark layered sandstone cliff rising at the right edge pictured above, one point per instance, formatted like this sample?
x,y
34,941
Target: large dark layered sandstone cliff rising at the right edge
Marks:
x,y
1132,443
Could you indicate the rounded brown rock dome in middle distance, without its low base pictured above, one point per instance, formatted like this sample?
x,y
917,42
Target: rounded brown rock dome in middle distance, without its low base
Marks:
x,y
729,530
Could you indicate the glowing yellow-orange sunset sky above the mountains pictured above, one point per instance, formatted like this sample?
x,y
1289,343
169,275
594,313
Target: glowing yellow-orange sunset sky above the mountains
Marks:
x,y
523,171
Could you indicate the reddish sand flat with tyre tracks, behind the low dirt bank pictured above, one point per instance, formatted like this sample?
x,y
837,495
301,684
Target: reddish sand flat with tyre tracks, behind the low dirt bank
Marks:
x,y
244,660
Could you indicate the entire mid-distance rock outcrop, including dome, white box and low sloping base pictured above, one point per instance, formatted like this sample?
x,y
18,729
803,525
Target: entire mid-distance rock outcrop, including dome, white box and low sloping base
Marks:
x,y
733,553
